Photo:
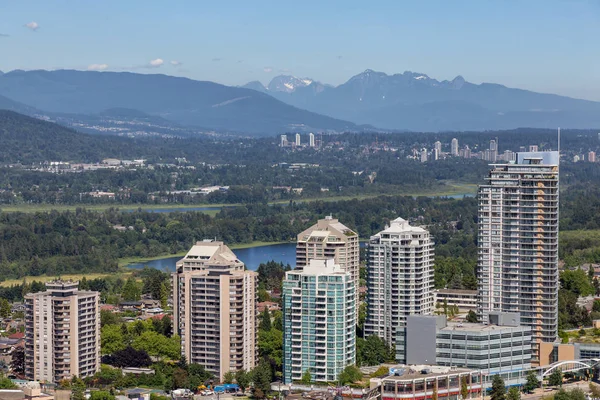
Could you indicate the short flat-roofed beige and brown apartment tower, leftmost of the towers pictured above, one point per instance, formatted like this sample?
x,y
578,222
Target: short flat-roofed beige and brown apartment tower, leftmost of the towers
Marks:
x,y
62,332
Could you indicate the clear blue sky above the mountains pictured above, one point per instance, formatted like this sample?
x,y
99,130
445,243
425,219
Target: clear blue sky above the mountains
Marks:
x,y
550,46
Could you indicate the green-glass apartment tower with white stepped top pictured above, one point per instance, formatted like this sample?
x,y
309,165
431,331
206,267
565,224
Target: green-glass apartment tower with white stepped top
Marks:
x,y
319,322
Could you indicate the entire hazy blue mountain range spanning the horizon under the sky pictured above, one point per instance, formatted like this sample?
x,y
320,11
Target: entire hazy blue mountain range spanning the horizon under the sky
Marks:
x,y
407,101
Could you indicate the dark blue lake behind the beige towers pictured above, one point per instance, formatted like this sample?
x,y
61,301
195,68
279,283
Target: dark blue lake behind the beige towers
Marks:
x,y
251,256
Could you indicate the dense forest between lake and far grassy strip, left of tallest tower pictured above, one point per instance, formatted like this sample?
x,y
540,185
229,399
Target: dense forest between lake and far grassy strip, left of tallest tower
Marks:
x,y
86,241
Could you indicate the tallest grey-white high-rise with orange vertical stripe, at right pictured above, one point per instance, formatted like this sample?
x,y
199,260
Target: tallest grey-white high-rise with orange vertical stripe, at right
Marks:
x,y
518,242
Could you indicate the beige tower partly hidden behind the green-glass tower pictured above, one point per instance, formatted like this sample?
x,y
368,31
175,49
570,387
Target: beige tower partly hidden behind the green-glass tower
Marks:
x,y
329,238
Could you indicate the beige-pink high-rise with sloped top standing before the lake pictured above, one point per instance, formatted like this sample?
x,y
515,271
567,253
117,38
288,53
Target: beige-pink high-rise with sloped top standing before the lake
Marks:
x,y
214,309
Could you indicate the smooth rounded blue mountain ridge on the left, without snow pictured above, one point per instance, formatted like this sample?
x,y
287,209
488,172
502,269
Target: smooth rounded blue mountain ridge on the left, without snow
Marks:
x,y
182,100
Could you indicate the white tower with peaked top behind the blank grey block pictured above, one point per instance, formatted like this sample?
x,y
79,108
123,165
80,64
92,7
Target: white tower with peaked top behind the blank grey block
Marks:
x,y
399,278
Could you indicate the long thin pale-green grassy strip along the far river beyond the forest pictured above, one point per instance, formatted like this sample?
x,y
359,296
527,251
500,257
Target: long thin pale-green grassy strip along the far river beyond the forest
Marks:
x,y
450,189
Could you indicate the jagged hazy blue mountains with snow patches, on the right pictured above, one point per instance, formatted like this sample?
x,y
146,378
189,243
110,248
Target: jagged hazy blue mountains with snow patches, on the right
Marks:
x,y
417,102
